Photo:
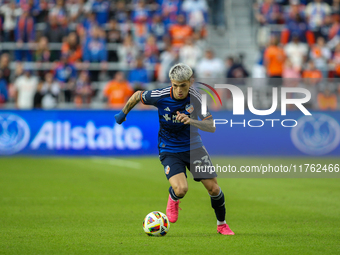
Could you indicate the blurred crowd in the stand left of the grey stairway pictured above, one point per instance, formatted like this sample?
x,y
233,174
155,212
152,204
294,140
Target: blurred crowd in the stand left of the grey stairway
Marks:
x,y
142,38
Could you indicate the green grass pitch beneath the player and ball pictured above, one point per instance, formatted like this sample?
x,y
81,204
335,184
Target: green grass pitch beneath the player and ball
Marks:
x,y
97,205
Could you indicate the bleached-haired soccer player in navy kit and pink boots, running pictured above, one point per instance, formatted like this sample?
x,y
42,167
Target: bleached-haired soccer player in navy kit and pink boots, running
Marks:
x,y
179,143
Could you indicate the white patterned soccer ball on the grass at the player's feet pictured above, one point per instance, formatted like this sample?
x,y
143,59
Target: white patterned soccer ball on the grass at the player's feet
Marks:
x,y
156,224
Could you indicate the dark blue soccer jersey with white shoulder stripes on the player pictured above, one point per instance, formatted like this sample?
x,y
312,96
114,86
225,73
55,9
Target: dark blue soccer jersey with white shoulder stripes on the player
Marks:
x,y
174,136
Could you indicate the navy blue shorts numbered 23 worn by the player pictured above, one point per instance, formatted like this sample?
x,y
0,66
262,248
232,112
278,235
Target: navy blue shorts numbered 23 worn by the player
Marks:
x,y
194,160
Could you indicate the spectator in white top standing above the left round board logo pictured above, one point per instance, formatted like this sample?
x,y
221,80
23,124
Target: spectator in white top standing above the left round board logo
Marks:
x,y
26,86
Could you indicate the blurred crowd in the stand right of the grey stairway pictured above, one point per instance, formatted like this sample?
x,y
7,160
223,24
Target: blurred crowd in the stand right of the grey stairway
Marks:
x,y
300,44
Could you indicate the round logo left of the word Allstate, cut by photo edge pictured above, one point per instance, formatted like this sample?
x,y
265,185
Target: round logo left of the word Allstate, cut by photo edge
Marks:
x,y
14,133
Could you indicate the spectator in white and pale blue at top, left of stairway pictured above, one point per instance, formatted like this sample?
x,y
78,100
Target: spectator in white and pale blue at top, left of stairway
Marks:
x,y
196,13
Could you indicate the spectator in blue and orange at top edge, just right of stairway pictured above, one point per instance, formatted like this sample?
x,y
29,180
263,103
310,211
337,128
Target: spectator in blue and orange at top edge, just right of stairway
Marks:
x,y
269,13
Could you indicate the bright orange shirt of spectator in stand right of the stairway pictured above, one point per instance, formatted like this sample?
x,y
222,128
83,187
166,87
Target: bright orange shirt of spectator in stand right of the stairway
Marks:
x,y
274,58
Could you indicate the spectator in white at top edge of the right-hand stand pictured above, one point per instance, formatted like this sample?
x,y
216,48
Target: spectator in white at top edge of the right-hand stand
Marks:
x,y
316,12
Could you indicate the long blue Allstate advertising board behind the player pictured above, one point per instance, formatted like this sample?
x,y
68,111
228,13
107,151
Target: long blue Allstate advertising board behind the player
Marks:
x,y
94,133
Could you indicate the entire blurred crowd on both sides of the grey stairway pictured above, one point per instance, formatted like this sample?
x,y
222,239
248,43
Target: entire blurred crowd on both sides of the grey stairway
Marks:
x,y
79,51
